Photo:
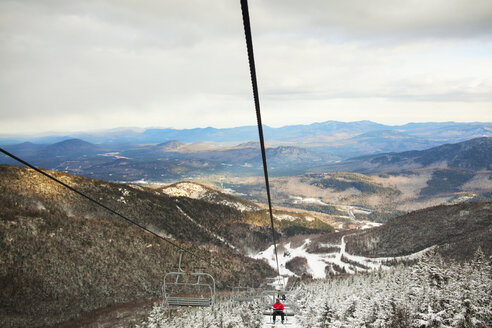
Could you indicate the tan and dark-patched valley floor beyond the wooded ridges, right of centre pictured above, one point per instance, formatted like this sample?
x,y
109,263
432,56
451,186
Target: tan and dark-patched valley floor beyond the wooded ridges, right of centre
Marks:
x,y
368,197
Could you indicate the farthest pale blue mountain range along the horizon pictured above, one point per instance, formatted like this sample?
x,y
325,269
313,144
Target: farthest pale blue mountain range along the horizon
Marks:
x,y
337,138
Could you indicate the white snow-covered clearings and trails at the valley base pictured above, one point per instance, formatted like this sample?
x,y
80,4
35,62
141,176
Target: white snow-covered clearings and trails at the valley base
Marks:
x,y
318,264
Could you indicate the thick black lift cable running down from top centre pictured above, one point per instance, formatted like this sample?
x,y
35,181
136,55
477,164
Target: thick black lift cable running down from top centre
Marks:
x,y
251,59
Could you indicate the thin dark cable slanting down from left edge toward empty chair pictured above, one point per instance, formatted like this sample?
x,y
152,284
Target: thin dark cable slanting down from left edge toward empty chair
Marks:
x,y
107,208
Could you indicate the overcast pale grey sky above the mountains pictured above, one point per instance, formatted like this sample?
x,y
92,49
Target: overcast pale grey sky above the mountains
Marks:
x,y
87,65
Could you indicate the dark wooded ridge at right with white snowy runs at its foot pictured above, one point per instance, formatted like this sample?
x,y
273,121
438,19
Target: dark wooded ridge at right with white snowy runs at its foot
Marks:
x,y
455,231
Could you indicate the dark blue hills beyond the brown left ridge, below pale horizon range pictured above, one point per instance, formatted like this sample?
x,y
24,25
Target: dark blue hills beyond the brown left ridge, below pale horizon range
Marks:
x,y
172,160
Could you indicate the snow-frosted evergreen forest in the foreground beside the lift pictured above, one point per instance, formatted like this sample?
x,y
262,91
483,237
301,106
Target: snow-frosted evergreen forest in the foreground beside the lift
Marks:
x,y
430,293
